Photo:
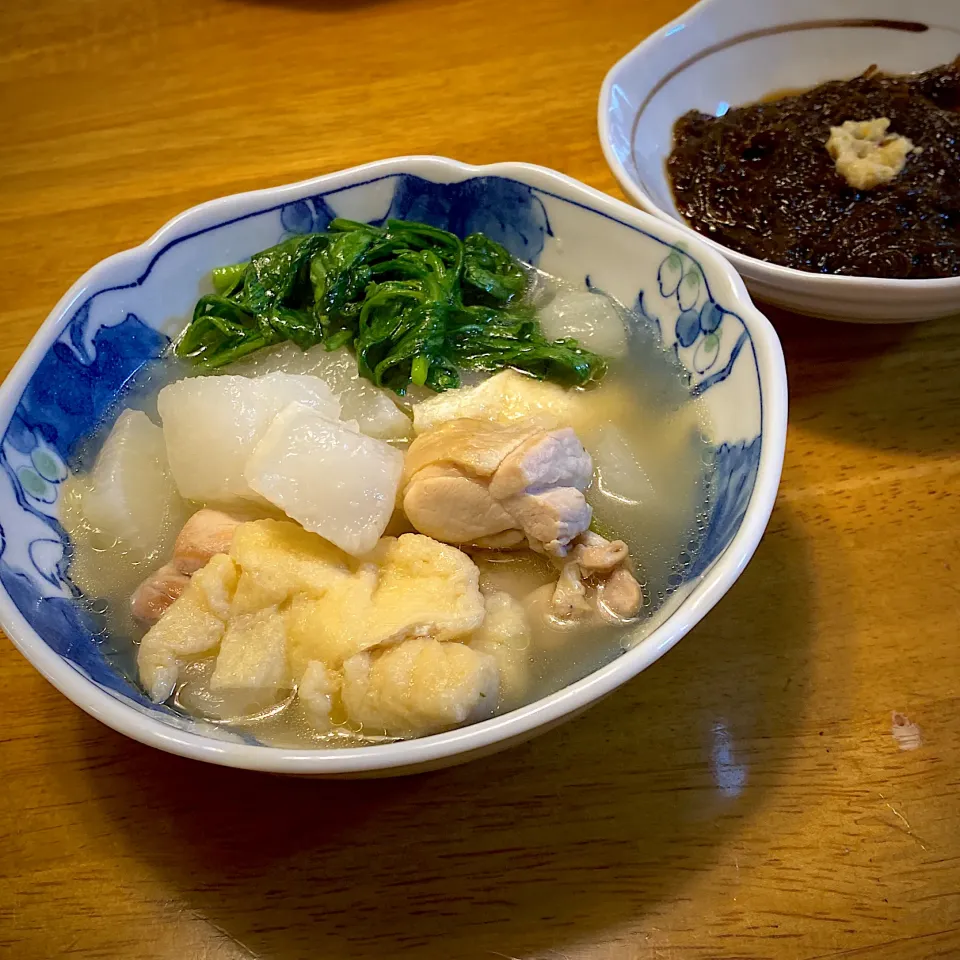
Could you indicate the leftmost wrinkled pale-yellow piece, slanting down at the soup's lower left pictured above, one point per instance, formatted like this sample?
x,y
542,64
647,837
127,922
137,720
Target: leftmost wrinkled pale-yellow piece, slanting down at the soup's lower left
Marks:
x,y
192,626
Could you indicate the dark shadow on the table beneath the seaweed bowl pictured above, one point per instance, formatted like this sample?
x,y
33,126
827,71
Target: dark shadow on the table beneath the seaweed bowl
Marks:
x,y
888,386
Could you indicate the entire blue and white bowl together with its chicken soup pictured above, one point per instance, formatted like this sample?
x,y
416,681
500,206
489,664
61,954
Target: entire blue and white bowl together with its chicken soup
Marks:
x,y
384,470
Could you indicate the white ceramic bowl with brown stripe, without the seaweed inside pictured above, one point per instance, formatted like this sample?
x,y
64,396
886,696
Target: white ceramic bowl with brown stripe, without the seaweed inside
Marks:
x,y
729,52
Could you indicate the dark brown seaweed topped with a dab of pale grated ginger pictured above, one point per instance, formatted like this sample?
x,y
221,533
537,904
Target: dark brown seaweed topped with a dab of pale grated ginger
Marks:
x,y
854,177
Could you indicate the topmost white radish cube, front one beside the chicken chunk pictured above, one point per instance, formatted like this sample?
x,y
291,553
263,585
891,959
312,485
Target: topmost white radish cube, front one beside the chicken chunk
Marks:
x,y
328,476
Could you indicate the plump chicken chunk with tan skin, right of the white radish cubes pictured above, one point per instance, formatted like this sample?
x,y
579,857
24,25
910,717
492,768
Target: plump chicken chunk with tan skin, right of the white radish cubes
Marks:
x,y
493,485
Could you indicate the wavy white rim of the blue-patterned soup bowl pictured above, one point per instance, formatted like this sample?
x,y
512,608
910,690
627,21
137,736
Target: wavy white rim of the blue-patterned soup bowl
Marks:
x,y
517,724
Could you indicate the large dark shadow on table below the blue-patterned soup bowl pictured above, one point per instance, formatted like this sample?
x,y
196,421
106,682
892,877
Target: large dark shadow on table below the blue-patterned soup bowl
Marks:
x,y
576,833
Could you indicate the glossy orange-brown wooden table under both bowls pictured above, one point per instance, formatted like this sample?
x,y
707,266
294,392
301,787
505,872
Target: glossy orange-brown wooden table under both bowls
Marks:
x,y
745,797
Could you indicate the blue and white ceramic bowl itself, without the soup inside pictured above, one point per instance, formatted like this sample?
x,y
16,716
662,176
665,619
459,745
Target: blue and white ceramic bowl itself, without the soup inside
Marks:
x,y
122,313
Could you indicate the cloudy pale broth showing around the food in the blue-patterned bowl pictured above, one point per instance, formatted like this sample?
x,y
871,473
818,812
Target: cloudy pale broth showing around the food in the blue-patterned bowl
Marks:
x,y
653,463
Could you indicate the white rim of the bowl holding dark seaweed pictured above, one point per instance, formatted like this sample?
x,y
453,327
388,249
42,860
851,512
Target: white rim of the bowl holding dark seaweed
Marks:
x,y
764,270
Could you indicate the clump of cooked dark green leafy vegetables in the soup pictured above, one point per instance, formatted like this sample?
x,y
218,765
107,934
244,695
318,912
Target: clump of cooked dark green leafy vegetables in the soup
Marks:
x,y
415,303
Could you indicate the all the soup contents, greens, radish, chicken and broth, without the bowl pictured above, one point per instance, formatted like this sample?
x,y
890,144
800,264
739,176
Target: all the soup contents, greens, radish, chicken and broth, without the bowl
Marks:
x,y
388,481
